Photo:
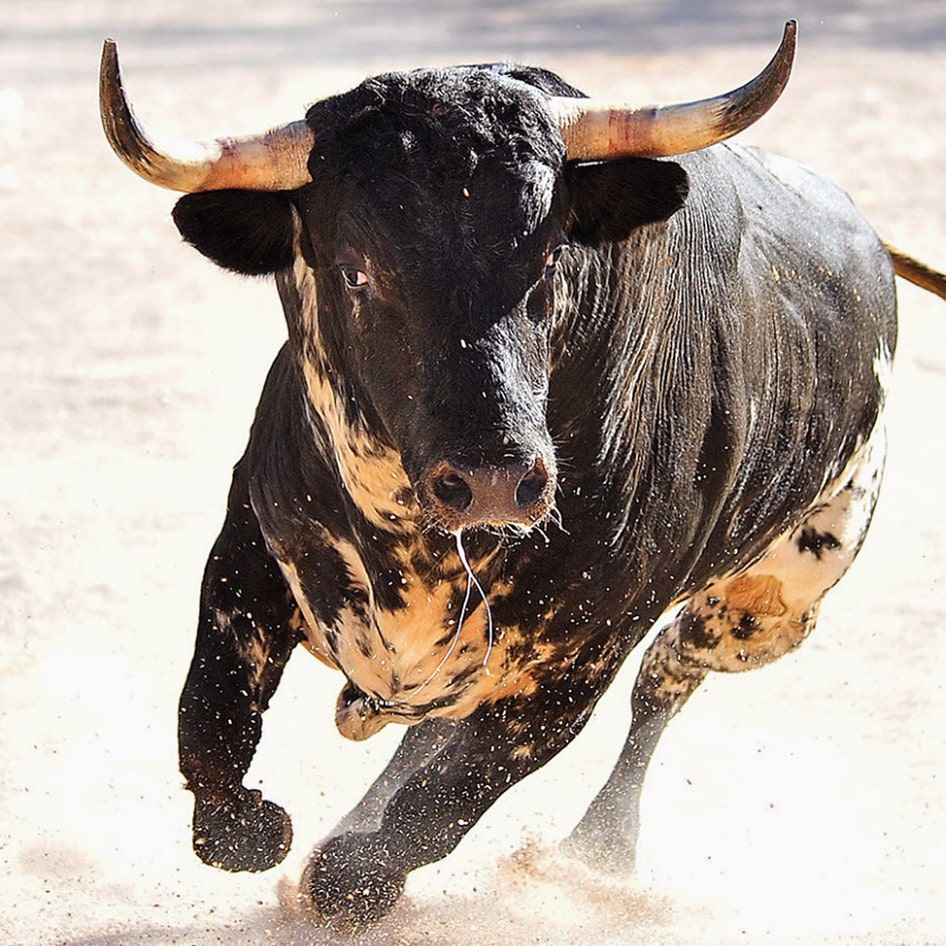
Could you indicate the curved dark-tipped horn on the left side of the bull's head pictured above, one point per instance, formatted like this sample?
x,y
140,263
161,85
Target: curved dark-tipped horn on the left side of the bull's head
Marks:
x,y
276,160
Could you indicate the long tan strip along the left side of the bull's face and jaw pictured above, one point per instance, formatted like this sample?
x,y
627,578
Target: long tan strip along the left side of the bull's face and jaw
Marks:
x,y
372,473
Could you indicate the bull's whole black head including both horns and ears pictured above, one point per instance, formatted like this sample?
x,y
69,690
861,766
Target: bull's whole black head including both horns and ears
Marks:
x,y
414,226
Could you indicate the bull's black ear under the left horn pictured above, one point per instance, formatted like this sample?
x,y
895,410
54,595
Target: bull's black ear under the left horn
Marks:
x,y
249,232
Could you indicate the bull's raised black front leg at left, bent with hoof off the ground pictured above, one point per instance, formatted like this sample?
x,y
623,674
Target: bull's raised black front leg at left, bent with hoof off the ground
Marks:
x,y
247,628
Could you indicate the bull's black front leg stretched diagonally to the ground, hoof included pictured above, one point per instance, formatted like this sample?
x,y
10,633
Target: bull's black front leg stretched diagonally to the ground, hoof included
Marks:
x,y
357,876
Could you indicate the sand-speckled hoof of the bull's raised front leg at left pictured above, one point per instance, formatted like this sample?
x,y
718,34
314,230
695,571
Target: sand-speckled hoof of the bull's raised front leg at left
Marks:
x,y
248,833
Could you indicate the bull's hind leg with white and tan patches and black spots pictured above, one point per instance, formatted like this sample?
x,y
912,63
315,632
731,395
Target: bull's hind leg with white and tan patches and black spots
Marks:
x,y
744,621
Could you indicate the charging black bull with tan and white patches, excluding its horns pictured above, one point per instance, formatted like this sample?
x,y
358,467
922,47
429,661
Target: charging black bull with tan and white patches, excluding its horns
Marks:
x,y
527,406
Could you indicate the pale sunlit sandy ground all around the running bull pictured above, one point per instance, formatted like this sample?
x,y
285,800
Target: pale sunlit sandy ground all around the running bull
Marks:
x,y
799,804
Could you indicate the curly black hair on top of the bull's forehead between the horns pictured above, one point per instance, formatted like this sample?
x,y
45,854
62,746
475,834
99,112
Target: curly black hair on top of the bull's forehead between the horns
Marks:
x,y
432,136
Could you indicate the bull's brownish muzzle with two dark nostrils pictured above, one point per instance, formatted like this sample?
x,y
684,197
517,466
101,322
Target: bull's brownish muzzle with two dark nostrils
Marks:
x,y
513,492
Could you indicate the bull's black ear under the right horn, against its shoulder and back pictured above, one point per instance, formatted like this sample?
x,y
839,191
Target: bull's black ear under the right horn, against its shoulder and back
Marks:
x,y
611,199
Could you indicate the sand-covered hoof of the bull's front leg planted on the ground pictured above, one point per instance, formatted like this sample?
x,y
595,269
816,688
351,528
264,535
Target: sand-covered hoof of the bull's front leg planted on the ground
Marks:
x,y
348,883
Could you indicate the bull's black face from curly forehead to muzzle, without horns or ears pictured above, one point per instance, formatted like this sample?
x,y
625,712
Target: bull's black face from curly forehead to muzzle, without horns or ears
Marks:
x,y
432,227
